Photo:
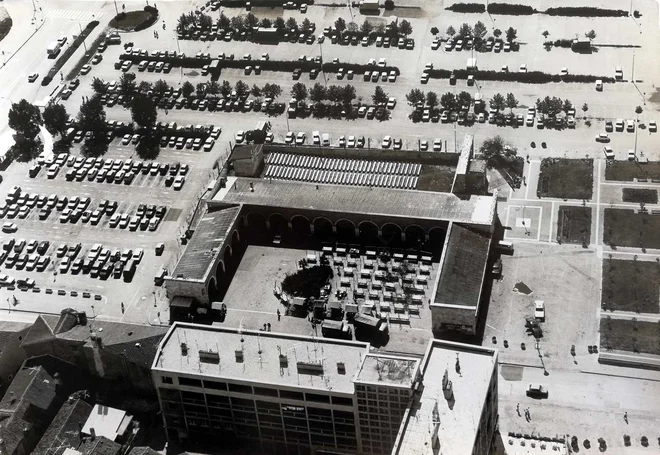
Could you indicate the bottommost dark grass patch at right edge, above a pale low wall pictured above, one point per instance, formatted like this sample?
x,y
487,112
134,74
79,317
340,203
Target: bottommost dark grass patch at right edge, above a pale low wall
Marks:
x,y
632,336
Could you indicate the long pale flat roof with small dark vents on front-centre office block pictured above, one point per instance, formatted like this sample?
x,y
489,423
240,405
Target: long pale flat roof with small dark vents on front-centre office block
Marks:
x,y
309,362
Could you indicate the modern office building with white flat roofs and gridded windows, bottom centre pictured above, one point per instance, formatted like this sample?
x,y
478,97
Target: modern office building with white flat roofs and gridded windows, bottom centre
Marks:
x,y
294,394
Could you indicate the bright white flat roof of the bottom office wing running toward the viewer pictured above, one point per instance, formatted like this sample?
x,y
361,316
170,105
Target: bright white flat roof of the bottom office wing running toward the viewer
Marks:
x,y
470,370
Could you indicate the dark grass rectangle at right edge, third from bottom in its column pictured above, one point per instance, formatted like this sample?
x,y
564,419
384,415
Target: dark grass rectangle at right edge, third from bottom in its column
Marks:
x,y
624,227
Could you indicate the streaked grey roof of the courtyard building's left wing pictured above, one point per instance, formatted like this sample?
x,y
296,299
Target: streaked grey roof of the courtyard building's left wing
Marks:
x,y
206,243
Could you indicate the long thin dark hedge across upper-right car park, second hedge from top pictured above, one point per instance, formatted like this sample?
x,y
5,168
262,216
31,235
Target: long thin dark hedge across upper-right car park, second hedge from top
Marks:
x,y
531,77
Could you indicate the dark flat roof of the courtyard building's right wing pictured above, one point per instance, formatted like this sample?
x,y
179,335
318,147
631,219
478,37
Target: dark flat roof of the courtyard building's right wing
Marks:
x,y
462,268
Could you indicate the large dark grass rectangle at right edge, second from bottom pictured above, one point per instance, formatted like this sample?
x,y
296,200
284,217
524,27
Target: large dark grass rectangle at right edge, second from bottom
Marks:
x,y
631,286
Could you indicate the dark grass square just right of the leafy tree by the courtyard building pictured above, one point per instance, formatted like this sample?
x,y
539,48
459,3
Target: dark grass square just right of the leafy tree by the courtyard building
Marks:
x,y
566,179
